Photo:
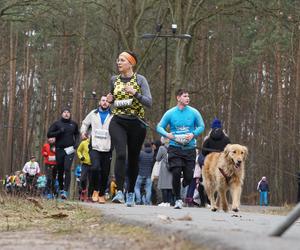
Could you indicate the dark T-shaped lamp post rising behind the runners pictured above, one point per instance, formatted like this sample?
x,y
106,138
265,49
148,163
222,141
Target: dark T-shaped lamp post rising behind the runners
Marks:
x,y
166,37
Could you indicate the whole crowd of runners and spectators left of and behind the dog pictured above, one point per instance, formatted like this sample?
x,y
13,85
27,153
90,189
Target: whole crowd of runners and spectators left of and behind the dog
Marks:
x,y
166,172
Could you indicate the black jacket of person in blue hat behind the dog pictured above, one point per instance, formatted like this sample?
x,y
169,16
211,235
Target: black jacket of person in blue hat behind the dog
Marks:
x,y
215,142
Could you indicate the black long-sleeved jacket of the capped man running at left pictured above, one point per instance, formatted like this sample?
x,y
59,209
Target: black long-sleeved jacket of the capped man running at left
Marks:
x,y
66,133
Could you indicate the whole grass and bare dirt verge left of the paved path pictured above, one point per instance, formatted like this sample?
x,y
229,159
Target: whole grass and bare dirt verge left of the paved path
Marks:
x,y
35,224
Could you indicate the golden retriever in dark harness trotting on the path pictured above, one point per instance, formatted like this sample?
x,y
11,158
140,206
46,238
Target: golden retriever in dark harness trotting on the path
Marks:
x,y
222,172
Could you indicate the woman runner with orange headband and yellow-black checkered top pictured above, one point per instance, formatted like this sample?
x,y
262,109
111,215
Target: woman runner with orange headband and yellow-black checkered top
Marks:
x,y
129,93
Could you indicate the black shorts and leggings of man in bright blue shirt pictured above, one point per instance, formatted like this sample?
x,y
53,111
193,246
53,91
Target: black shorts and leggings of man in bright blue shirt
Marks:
x,y
181,161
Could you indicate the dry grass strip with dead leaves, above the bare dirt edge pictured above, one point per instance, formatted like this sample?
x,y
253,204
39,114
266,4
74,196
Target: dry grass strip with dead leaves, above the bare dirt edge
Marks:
x,y
63,220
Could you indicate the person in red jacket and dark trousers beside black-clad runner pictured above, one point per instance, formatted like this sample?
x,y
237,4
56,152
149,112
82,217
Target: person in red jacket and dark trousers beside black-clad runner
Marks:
x,y
48,152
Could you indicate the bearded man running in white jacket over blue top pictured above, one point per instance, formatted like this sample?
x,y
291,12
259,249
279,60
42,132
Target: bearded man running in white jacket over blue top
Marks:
x,y
100,149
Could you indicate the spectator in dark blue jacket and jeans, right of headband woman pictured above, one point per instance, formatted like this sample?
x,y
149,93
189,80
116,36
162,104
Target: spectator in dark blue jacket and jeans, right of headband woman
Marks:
x,y
144,176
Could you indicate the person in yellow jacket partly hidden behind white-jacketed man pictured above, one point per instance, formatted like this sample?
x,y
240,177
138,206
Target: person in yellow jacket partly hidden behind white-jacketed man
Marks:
x,y
86,176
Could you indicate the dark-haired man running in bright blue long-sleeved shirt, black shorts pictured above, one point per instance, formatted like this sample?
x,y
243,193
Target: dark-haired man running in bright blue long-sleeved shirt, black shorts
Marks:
x,y
185,124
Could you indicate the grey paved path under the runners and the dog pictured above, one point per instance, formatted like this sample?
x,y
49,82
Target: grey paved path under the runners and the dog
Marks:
x,y
216,230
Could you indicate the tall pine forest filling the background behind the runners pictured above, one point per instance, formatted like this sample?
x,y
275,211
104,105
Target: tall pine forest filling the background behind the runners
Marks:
x,y
241,65
